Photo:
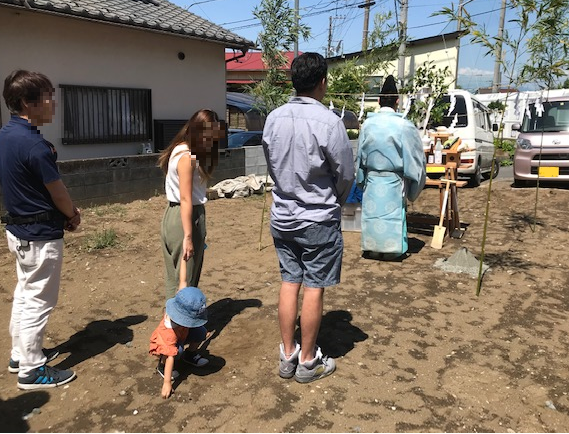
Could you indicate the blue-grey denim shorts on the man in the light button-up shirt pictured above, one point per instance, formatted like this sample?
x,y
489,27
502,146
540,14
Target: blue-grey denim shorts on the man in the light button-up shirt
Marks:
x,y
312,255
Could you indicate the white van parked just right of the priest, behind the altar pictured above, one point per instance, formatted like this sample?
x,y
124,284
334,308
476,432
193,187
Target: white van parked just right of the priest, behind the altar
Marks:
x,y
471,122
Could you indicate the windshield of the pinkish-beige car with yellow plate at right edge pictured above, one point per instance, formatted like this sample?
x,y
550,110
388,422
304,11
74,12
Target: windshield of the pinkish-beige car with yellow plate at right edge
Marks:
x,y
553,119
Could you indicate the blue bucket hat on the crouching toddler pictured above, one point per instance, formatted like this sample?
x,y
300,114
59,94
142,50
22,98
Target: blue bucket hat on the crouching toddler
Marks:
x,y
188,308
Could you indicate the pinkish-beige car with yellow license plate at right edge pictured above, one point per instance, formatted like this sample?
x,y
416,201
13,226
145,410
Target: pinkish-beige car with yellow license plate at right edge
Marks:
x,y
542,147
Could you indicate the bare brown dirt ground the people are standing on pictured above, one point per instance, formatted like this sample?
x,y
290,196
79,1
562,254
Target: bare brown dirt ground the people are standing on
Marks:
x,y
416,350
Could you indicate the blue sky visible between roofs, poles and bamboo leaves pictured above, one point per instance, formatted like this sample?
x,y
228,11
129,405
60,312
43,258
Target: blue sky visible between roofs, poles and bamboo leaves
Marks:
x,y
475,69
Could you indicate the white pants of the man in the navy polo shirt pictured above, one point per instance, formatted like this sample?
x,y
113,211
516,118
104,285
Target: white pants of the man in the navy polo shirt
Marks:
x,y
38,267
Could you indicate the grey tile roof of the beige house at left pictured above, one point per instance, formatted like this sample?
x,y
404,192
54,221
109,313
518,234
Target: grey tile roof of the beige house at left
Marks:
x,y
158,15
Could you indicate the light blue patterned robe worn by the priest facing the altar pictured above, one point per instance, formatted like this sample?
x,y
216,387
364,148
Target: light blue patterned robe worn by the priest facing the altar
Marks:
x,y
390,168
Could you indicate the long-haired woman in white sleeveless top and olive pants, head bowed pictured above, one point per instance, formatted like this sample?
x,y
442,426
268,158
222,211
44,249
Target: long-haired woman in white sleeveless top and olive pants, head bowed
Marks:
x,y
188,163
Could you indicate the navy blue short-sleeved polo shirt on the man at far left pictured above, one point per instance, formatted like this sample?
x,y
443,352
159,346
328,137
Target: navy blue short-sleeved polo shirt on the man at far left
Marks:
x,y
27,163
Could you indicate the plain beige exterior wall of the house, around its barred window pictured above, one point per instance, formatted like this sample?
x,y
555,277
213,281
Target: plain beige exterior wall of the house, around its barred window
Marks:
x,y
80,52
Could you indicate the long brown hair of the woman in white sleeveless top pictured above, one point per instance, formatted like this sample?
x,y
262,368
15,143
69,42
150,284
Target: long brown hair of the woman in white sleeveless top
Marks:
x,y
201,130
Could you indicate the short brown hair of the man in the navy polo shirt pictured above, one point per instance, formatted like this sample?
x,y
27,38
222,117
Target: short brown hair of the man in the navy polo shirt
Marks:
x,y
24,86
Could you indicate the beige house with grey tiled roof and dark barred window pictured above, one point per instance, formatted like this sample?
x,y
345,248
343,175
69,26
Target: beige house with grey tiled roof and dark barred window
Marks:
x,y
122,69
